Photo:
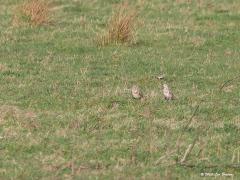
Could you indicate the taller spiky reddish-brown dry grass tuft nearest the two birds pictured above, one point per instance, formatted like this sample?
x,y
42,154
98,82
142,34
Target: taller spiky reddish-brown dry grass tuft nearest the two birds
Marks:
x,y
120,28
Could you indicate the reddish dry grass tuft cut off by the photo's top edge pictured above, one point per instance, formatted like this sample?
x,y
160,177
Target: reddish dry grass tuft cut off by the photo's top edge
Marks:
x,y
33,12
